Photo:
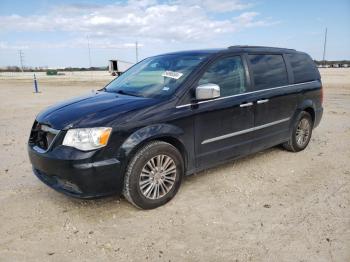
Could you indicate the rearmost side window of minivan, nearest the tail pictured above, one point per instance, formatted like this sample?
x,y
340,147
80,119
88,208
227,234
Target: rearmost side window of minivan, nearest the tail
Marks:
x,y
303,68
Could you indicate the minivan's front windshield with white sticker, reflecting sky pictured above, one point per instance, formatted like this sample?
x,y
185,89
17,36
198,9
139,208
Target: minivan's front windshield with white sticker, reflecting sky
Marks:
x,y
157,76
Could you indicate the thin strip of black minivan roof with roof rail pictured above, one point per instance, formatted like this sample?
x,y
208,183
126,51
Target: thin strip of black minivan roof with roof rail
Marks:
x,y
238,48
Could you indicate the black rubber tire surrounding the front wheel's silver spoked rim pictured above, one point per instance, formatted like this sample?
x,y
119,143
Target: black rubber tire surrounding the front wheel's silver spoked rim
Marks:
x,y
132,188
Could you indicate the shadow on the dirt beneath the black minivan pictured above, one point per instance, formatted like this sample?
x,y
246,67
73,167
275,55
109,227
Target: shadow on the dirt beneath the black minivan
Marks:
x,y
117,206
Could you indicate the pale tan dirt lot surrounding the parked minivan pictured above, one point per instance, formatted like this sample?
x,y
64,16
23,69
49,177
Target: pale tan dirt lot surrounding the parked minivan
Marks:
x,y
271,206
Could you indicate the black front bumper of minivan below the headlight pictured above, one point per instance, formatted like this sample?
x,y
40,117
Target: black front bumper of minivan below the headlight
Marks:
x,y
75,173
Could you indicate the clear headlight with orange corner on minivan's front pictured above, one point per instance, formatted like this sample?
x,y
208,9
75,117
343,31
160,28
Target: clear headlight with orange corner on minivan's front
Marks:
x,y
87,138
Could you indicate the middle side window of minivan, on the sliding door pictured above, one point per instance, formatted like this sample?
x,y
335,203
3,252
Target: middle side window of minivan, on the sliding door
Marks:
x,y
268,71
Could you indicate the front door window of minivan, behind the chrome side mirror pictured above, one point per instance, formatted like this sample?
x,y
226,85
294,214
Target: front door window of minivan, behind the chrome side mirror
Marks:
x,y
228,73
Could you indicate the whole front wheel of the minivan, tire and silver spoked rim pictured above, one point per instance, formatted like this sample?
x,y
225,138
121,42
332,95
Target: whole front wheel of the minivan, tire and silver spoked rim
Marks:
x,y
153,175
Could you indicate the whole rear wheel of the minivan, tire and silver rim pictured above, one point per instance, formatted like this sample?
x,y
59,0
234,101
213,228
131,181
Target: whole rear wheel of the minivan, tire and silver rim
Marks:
x,y
301,134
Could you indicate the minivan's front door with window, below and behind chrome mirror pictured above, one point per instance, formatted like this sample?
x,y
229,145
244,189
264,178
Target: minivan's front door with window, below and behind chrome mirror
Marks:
x,y
223,125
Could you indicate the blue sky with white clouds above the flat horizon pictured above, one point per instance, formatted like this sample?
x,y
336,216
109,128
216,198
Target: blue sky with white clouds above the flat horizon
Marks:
x,y
58,33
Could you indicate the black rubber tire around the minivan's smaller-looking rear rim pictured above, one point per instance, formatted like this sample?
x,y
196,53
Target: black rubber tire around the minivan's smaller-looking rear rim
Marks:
x,y
292,144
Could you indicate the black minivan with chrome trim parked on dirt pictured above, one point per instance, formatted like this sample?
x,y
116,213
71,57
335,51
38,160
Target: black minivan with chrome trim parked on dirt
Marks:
x,y
173,115
